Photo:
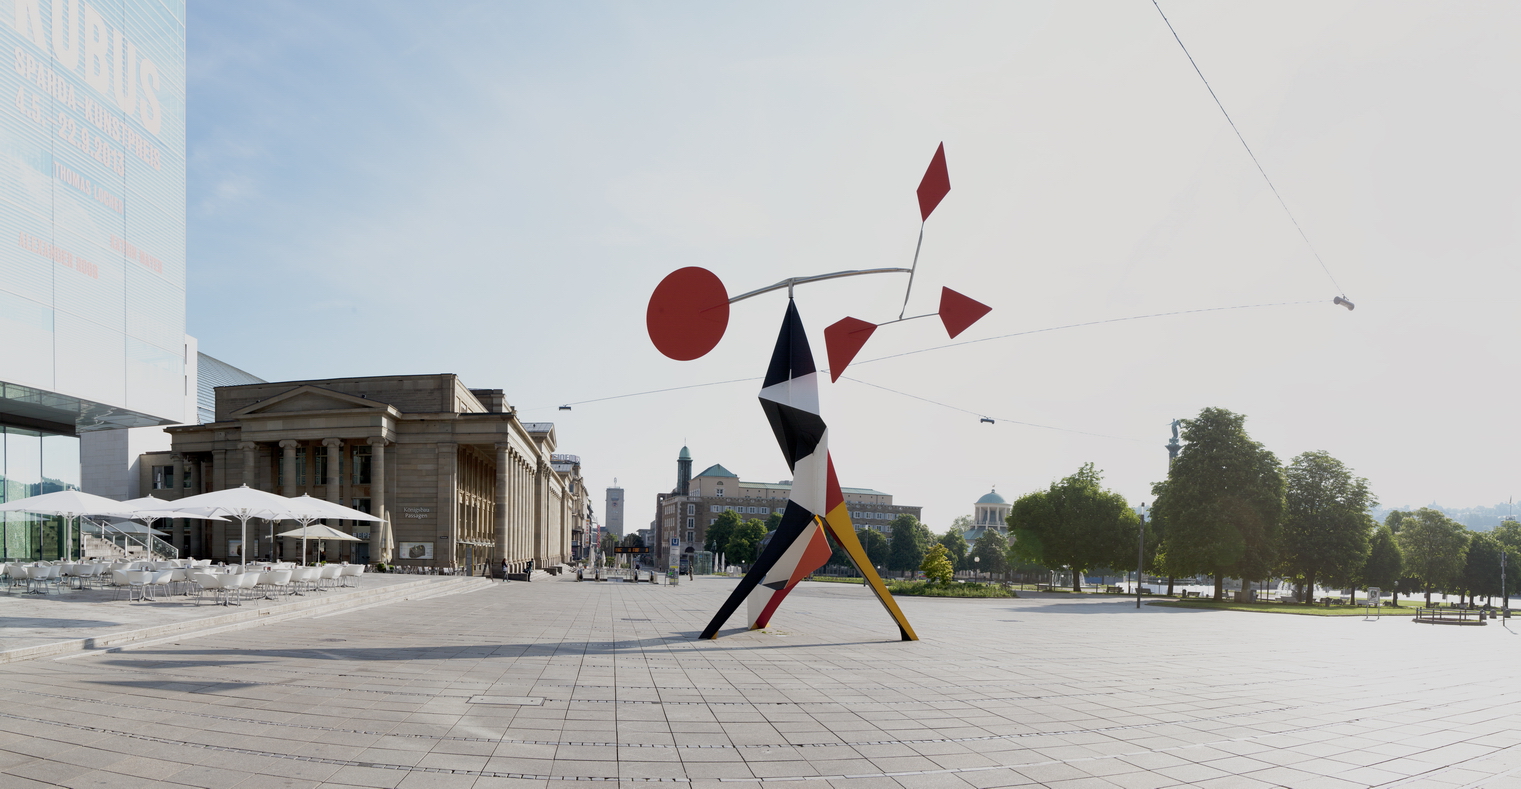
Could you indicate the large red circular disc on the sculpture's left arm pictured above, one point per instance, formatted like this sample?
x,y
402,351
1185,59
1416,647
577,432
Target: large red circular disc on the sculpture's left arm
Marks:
x,y
688,314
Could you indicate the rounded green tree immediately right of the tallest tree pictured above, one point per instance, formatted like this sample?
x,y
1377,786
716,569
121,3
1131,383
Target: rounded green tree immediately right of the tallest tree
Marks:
x,y
1326,528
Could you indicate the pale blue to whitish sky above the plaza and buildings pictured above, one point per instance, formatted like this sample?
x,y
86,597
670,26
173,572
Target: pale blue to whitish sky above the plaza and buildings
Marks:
x,y
495,189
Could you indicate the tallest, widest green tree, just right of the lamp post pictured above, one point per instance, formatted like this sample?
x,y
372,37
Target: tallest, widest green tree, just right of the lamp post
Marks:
x,y
1222,502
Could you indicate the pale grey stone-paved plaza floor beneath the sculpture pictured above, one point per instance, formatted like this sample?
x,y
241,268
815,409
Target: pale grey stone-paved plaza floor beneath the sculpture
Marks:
x,y
532,685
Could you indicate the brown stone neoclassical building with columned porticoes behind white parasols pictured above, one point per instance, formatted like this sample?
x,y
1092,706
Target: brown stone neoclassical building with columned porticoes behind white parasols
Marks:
x,y
460,478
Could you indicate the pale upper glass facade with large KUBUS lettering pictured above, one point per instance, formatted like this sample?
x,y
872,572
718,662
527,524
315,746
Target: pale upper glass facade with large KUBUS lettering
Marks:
x,y
92,214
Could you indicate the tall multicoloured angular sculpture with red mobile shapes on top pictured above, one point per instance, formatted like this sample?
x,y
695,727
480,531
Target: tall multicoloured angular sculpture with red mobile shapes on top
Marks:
x,y
687,318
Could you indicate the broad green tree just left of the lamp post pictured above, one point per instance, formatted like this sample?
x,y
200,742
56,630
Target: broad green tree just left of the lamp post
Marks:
x,y
1075,524
